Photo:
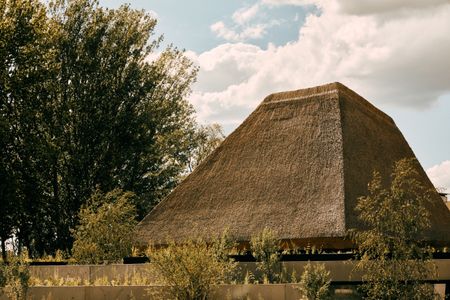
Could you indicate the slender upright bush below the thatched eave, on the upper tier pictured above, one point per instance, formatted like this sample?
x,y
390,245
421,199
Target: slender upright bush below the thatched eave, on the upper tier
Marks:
x,y
264,248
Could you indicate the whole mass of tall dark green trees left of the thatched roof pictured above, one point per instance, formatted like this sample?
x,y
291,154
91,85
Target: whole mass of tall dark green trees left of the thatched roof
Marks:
x,y
82,106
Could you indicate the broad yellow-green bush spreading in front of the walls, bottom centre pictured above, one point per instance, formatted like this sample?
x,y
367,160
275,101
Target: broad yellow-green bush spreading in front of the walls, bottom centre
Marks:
x,y
191,269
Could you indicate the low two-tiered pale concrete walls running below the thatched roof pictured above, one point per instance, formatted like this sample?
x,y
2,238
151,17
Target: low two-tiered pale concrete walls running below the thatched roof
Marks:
x,y
86,276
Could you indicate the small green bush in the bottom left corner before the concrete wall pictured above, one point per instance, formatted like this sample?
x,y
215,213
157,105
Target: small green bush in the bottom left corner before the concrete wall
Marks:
x,y
15,276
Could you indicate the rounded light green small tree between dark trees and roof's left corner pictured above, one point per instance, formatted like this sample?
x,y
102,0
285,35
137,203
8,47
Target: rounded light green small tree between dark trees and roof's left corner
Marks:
x,y
104,232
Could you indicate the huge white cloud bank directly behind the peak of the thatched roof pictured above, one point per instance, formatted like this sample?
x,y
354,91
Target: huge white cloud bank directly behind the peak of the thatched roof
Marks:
x,y
401,60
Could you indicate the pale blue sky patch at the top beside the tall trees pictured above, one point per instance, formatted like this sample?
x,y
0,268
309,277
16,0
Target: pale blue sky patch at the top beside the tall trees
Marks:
x,y
186,24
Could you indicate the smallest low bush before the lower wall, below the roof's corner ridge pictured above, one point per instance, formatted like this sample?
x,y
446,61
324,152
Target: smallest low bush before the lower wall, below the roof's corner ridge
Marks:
x,y
315,282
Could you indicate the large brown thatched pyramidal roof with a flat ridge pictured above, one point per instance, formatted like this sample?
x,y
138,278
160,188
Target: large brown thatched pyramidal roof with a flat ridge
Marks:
x,y
296,165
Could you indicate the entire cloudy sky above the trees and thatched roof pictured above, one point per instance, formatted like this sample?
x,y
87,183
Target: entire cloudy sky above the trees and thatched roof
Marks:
x,y
394,53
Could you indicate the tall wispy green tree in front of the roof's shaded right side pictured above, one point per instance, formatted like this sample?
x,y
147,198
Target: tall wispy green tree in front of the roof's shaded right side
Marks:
x,y
394,257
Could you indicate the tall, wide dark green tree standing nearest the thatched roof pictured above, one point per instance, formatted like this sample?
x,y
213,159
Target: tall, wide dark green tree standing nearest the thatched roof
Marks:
x,y
125,121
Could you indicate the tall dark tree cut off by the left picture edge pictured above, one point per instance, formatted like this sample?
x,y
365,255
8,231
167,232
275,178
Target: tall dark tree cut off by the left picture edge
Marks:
x,y
26,56
